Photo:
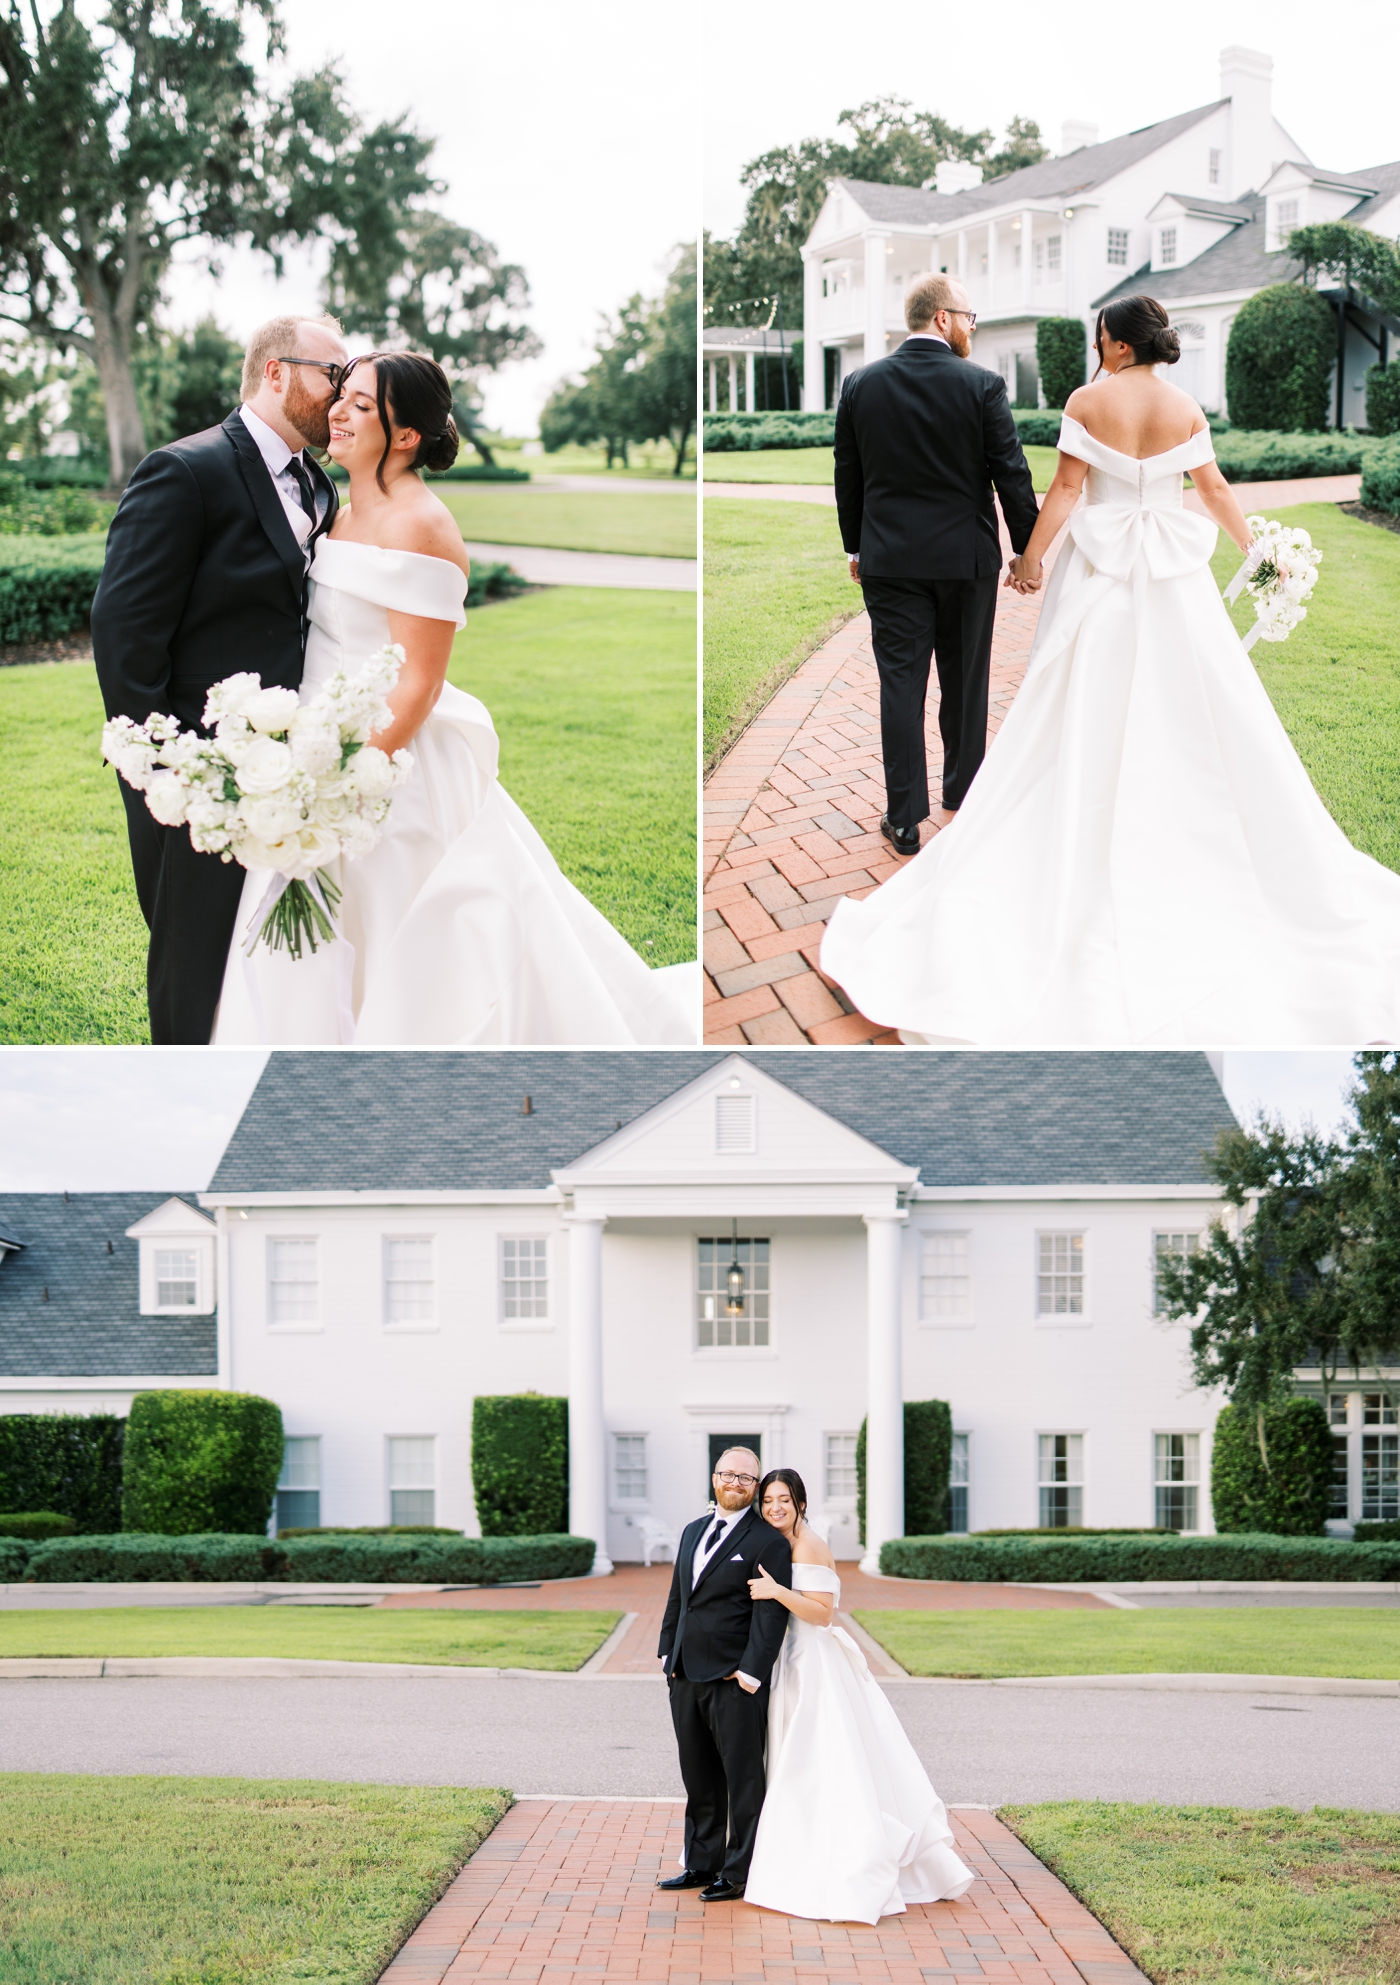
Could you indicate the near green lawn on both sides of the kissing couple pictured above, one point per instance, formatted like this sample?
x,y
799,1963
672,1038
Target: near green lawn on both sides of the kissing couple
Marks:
x,y
595,700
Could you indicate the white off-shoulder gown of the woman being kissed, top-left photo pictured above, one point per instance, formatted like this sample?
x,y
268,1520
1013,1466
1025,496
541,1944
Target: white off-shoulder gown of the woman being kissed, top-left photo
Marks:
x,y
458,928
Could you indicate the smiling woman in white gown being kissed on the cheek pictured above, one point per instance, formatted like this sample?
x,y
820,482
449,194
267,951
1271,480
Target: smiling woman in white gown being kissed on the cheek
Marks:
x,y
458,928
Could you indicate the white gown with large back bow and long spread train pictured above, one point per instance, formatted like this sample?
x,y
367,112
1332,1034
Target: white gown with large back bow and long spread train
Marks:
x,y
1143,859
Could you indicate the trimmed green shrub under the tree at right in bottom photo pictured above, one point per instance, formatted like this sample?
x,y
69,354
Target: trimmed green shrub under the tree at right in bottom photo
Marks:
x,y
1286,1496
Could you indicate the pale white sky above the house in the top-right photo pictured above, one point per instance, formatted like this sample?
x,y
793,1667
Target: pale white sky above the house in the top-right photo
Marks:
x,y
1333,76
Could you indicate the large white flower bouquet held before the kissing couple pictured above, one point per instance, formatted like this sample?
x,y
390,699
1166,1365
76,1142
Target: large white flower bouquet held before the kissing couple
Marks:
x,y
281,785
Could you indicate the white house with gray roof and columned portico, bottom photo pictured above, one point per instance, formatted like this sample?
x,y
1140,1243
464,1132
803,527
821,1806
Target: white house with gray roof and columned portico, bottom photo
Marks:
x,y
698,1250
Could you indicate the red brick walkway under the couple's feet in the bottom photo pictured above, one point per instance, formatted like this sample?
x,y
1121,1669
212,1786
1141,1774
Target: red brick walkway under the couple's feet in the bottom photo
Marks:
x,y
567,1891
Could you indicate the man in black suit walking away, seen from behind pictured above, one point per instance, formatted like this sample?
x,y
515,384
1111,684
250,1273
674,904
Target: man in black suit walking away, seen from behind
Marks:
x,y
920,442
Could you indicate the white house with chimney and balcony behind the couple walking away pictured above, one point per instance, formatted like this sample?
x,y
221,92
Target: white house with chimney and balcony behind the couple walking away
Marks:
x,y
1194,209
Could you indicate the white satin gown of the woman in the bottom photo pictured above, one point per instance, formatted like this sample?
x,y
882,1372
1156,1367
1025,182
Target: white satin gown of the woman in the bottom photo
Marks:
x,y
851,1827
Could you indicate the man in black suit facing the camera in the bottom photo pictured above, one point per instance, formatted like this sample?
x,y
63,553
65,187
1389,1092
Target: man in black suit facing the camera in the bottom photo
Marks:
x,y
720,1649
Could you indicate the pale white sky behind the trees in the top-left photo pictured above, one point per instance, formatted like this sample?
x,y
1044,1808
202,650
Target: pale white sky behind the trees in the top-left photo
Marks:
x,y
567,134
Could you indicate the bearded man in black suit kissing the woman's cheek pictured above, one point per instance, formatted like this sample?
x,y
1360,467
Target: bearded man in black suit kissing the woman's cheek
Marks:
x,y
206,577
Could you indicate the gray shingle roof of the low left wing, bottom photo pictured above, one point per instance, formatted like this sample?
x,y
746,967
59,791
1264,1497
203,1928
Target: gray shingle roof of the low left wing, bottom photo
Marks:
x,y
90,1325
